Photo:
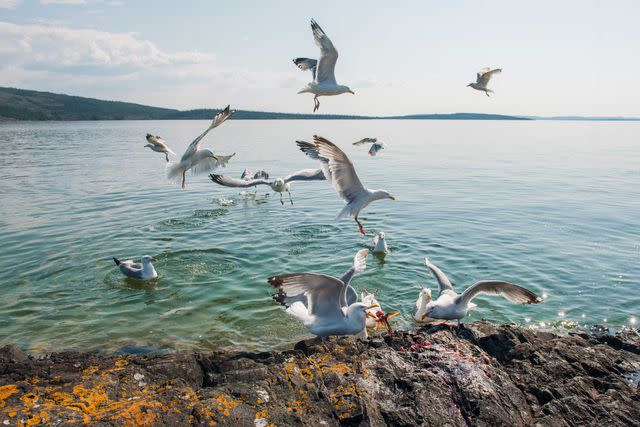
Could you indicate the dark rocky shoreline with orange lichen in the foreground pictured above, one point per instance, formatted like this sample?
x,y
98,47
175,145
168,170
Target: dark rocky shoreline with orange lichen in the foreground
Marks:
x,y
482,375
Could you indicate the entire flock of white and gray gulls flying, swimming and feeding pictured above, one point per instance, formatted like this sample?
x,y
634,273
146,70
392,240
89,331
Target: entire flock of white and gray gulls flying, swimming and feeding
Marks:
x,y
328,305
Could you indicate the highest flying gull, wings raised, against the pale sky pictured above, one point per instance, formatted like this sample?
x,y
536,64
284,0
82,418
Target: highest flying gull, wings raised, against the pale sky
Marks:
x,y
323,70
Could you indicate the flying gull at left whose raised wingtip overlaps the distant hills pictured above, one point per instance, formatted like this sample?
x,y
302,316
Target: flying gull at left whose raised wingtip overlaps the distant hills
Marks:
x,y
198,159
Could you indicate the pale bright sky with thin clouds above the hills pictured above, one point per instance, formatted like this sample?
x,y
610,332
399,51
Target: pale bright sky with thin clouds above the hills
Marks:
x,y
558,57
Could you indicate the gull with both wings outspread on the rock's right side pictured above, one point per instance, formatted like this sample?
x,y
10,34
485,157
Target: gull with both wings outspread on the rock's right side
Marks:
x,y
451,305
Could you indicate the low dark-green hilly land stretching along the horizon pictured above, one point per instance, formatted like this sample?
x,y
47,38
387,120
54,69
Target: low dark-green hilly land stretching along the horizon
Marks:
x,y
22,104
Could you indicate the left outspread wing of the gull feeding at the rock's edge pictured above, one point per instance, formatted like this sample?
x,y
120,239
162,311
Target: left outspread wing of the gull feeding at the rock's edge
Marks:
x,y
323,293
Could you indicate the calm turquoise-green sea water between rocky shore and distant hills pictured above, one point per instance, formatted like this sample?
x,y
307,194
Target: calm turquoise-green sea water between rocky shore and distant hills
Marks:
x,y
553,206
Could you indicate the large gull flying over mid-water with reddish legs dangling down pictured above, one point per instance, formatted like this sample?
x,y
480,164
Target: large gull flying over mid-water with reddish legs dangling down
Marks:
x,y
337,166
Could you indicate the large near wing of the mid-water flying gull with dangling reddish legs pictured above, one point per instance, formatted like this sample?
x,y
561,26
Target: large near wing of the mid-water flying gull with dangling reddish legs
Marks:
x,y
340,169
